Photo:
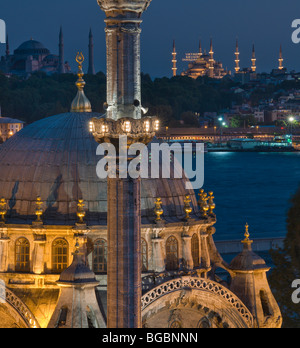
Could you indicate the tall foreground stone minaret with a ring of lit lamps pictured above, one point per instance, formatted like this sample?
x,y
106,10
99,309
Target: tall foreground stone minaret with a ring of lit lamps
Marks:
x,y
123,118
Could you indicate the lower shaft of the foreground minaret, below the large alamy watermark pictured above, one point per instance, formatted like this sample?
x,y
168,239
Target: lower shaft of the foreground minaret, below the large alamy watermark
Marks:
x,y
124,282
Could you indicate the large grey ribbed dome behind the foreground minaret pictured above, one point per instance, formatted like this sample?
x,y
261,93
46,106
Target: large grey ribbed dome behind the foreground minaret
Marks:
x,y
55,158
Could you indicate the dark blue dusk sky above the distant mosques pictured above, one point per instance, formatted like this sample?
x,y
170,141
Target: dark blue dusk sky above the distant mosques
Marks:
x,y
267,23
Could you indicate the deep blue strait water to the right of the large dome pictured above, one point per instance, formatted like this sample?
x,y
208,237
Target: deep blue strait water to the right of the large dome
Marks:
x,y
253,188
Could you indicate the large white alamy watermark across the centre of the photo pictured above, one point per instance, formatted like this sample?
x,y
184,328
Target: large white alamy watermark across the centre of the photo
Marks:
x,y
155,162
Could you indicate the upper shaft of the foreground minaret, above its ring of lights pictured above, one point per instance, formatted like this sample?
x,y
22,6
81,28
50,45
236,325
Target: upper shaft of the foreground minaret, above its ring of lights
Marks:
x,y
123,19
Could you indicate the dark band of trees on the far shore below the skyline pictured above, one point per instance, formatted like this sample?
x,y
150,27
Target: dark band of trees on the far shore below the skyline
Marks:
x,y
177,101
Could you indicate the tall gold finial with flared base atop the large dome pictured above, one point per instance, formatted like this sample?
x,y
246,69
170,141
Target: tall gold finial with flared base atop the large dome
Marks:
x,y
81,102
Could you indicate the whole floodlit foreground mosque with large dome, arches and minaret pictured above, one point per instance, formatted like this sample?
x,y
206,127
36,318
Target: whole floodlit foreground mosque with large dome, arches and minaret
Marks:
x,y
64,232
